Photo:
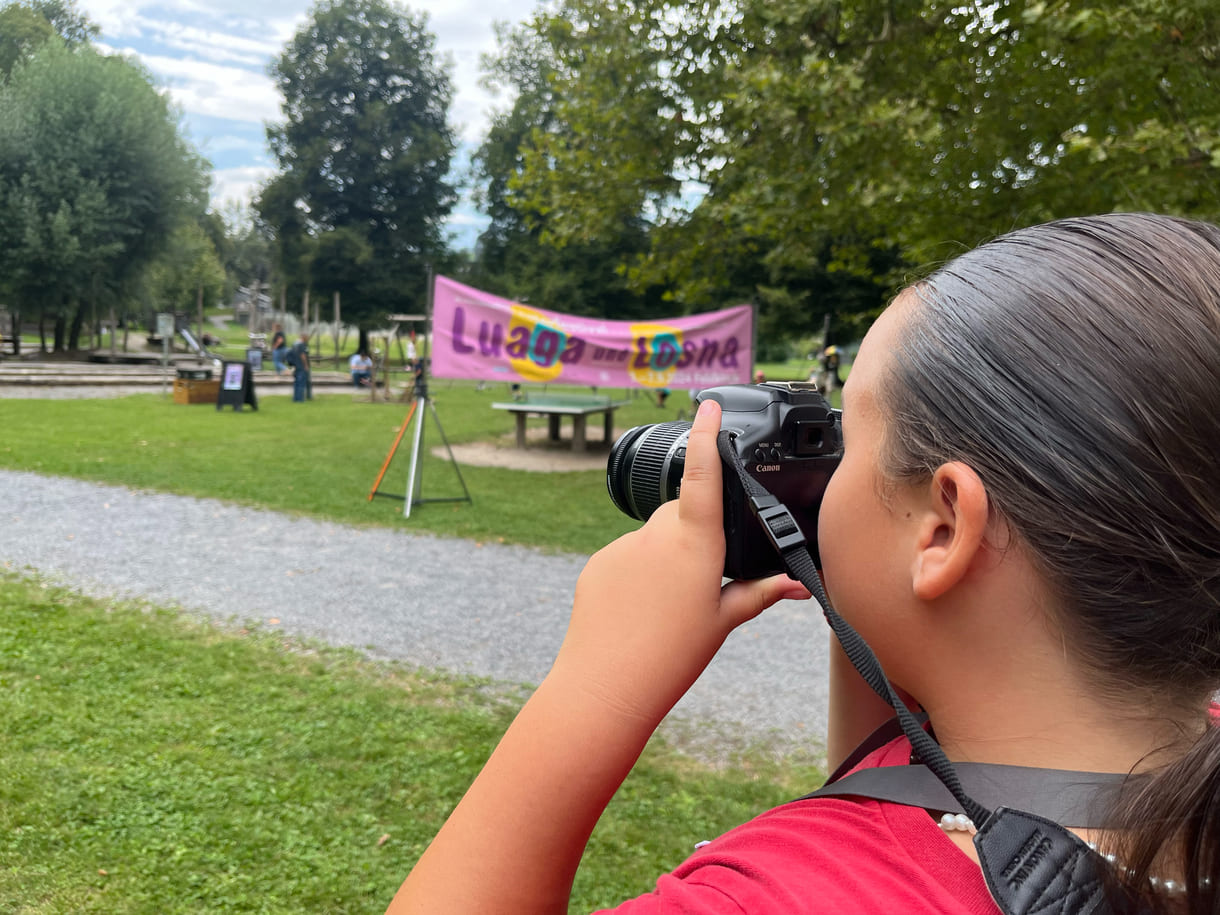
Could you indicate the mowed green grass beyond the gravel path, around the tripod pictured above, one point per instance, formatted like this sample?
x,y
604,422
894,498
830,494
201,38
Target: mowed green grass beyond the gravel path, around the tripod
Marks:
x,y
321,459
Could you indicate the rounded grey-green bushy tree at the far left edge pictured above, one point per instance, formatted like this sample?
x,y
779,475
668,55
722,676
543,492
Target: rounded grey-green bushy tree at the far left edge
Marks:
x,y
95,178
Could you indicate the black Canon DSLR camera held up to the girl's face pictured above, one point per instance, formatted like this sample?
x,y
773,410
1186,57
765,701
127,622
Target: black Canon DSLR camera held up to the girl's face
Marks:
x,y
789,440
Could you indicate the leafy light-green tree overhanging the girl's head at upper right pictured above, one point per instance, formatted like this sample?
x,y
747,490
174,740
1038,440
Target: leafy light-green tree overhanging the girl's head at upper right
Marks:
x,y
768,141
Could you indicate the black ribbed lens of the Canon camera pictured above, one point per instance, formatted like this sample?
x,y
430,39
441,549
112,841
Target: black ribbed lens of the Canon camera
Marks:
x,y
645,468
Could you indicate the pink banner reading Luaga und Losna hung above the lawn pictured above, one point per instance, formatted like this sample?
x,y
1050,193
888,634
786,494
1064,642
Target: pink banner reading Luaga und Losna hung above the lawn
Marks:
x,y
480,336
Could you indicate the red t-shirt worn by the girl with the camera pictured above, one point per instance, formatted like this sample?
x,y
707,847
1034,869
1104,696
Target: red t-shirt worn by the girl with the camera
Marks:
x,y
828,856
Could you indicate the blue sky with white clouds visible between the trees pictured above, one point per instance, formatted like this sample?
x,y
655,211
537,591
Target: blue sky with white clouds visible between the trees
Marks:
x,y
213,56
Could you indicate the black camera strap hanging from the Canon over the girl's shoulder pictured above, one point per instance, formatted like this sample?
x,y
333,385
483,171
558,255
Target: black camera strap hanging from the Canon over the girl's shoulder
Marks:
x,y
1032,864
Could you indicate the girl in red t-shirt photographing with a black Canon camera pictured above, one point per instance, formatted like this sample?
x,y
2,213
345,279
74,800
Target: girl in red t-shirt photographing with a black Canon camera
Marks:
x,y
1038,567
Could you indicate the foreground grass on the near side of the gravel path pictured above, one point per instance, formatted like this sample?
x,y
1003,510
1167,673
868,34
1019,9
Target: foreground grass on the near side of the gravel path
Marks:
x,y
157,764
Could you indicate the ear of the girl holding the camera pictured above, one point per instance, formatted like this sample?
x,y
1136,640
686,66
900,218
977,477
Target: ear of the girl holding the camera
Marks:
x,y
951,530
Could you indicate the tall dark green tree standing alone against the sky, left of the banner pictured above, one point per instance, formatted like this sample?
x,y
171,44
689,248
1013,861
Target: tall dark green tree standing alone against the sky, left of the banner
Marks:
x,y
363,152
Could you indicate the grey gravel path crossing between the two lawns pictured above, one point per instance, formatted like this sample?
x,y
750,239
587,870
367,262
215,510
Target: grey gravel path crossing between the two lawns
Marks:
x,y
493,611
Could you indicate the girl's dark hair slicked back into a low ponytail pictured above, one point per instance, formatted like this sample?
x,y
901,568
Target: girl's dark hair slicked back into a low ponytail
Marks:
x,y
1077,368
